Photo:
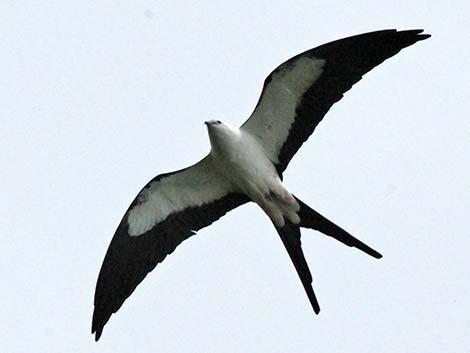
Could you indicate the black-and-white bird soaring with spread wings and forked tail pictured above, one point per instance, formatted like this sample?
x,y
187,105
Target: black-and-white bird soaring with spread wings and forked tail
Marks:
x,y
245,164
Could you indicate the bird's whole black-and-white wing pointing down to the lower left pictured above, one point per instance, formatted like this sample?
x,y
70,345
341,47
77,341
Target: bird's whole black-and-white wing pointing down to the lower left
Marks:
x,y
168,210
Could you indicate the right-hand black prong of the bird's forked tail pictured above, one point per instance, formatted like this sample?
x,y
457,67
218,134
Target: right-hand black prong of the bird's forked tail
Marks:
x,y
313,220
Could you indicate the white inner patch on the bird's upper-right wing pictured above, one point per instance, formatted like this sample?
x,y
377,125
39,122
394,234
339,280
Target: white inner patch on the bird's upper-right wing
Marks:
x,y
275,113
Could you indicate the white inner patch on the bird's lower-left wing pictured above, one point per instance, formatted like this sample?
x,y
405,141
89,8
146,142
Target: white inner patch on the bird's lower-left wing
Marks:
x,y
192,187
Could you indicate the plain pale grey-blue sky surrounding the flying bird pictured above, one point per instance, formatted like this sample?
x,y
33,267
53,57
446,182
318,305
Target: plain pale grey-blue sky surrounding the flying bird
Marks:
x,y
99,97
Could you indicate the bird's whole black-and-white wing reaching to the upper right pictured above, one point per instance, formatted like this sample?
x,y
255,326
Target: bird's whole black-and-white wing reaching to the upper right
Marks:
x,y
298,93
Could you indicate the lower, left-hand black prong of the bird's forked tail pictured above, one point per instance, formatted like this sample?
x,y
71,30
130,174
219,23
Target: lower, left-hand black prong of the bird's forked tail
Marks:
x,y
290,236
